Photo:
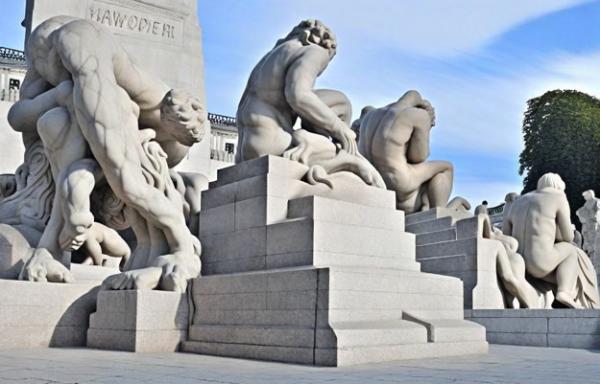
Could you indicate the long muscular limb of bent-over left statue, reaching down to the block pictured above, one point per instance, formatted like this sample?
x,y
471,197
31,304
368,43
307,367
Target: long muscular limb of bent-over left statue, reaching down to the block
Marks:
x,y
110,127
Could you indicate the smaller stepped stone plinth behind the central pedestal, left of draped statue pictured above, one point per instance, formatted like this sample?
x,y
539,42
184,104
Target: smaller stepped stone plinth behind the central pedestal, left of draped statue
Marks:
x,y
448,244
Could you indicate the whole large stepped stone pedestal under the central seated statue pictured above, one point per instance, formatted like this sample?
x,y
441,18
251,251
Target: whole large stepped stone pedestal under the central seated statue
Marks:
x,y
307,274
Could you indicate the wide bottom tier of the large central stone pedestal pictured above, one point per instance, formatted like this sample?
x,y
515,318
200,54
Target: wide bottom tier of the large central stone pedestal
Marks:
x,y
331,316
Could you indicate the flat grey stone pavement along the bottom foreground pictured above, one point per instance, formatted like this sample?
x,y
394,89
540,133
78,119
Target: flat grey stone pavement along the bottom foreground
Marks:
x,y
504,364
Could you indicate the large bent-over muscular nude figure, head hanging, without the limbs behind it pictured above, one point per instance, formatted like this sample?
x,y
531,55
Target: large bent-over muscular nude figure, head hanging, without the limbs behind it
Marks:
x,y
111,98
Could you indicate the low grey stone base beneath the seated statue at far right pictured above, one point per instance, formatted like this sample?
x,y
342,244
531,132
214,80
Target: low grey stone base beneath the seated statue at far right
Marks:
x,y
564,328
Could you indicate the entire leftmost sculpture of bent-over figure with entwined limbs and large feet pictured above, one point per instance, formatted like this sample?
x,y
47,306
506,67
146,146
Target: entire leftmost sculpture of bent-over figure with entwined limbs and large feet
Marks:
x,y
83,103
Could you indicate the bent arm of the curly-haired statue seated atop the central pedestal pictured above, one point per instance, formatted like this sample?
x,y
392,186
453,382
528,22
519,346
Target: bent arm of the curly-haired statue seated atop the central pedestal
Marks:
x,y
299,84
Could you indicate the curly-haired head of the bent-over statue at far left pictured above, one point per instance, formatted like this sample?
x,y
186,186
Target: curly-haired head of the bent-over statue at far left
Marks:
x,y
184,117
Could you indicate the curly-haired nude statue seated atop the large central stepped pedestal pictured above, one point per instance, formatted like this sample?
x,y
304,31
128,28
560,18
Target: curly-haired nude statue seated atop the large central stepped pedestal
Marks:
x,y
280,91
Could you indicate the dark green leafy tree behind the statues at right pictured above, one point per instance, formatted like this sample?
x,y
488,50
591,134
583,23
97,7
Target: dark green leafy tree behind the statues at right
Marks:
x,y
561,132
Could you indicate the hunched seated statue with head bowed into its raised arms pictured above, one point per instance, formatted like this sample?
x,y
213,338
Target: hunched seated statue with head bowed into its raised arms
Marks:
x,y
395,139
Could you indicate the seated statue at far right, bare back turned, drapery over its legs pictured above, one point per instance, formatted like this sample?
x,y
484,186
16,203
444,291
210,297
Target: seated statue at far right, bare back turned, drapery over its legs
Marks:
x,y
540,222
